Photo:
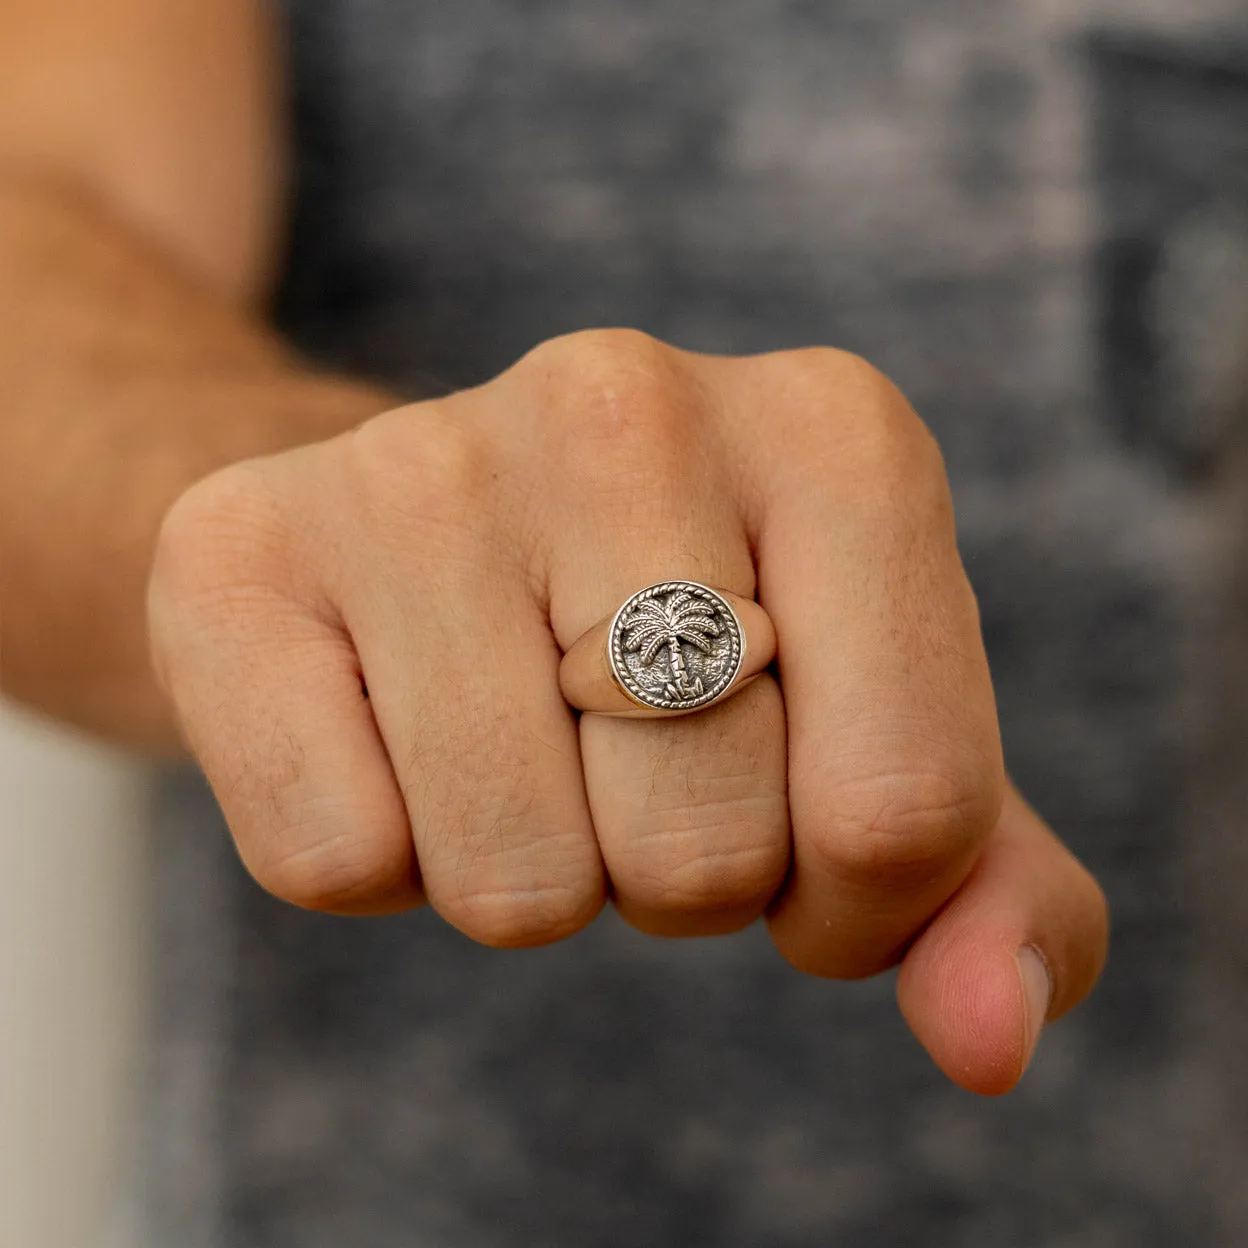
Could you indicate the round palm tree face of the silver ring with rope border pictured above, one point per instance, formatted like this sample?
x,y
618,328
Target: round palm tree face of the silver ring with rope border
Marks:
x,y
676,646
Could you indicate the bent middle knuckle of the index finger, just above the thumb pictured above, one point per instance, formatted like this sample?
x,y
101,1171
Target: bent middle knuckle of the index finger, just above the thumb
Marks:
x,y
905,831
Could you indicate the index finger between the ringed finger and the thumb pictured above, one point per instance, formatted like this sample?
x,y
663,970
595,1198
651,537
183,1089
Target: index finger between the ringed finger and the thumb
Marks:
x,y
895,769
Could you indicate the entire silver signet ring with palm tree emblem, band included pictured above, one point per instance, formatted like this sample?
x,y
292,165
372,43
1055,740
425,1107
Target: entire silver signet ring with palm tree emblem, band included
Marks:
x,y
673,648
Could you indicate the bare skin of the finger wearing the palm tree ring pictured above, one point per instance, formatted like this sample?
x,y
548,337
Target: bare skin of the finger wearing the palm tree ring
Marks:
x,y
691,813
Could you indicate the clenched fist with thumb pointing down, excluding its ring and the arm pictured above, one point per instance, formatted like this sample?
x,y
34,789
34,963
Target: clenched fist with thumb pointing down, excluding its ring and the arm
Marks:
x,y
363,641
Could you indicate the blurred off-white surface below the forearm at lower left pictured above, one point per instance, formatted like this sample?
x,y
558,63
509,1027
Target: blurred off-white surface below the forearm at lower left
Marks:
x,y
73,828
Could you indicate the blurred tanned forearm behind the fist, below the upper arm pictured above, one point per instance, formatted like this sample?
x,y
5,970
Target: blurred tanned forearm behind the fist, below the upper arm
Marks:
x,y
123,383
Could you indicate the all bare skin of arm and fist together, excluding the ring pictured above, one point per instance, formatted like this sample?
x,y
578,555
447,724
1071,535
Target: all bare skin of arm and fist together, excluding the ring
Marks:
x,y
356,610
